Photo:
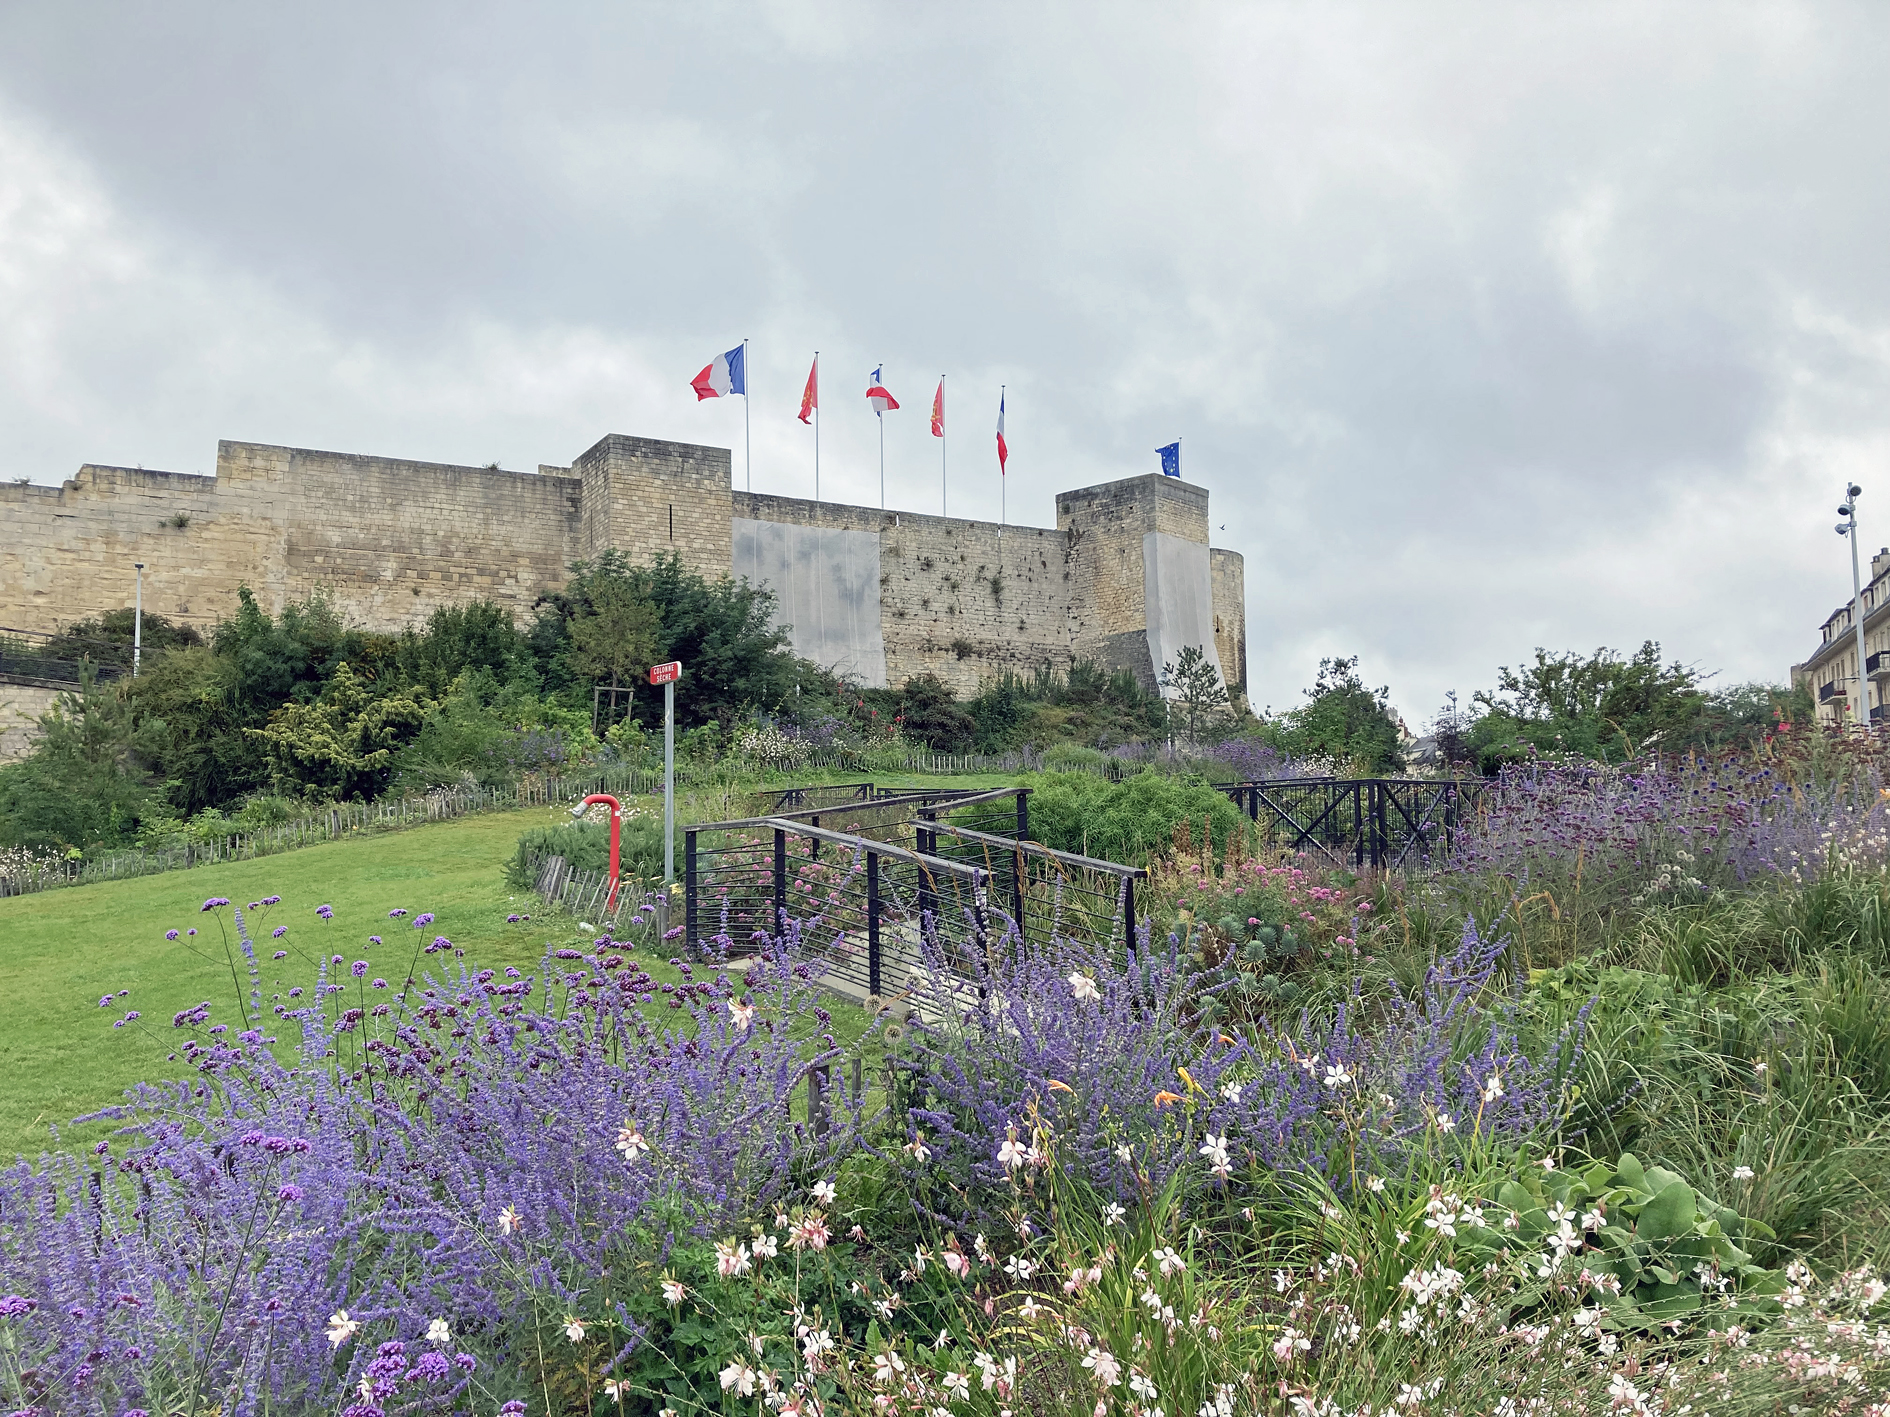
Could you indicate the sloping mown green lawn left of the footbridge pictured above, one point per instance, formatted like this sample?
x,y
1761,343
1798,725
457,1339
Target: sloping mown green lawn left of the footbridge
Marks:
x,y
63,949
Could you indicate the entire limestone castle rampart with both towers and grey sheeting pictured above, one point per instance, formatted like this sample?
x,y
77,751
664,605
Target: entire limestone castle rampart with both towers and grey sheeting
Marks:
x,y
1125,579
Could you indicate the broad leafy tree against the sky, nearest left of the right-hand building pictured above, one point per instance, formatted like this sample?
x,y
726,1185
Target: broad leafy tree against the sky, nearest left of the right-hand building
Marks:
x,y
1604,708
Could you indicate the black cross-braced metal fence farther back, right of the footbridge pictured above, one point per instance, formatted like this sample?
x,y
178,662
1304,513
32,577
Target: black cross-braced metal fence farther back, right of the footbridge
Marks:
x,y
1379,823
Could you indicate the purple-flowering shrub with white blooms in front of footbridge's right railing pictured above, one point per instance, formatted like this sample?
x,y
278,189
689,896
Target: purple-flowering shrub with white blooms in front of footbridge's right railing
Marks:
x,y
1112,1070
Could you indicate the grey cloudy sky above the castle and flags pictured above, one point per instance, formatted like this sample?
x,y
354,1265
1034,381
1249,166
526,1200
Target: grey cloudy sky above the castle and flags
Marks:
x,y
1486,326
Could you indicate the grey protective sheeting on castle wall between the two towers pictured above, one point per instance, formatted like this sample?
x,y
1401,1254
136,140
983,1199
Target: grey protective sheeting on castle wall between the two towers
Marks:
x,y
827,585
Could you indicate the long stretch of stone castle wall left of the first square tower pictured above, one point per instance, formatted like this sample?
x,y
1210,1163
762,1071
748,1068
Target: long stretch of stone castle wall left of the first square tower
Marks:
x,y
390,539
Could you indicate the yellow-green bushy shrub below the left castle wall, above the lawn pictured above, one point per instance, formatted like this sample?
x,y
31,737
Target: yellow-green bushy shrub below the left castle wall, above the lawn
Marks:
x,y
343,745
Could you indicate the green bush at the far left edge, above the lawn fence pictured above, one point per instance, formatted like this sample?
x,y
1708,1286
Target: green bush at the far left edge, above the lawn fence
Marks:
x,y
88,777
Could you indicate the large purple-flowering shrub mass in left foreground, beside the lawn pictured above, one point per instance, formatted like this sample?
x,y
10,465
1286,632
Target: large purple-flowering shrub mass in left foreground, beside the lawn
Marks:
x,y
441,1150
